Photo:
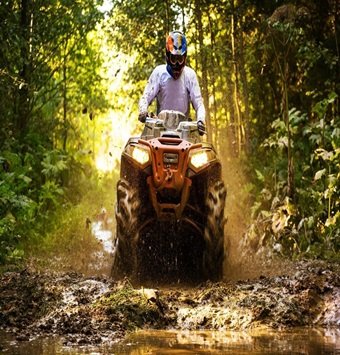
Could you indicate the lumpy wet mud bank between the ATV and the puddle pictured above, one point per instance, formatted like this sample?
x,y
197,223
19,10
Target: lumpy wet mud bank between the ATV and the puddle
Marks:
x,y
97,310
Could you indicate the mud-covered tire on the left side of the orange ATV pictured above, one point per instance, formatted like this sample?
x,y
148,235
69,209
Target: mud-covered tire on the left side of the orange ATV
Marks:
x,y
127,219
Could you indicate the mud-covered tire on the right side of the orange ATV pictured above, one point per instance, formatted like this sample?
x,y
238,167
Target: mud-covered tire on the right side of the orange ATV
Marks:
x,y
213,255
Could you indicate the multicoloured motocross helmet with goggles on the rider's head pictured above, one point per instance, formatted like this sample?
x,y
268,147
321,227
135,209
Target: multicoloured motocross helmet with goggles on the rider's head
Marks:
x,y
176,53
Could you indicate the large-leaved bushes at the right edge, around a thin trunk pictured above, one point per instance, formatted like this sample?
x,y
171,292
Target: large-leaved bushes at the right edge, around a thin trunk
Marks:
x,y
309,224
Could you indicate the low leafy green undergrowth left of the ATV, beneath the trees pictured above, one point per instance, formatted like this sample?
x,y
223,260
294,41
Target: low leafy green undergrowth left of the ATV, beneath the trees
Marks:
x,y
40,215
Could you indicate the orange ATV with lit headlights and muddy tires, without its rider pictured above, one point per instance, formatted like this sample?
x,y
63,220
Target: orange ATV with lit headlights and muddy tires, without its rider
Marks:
x,y
170,204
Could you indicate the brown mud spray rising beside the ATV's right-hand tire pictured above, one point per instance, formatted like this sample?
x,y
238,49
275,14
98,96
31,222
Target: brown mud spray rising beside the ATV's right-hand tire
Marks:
x,y
243,260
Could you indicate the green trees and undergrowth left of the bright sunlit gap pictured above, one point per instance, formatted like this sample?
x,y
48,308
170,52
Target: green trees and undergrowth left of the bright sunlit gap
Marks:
x,y
49,71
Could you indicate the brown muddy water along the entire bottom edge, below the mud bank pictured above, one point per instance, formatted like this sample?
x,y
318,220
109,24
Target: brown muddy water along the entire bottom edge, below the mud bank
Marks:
x,y
294,341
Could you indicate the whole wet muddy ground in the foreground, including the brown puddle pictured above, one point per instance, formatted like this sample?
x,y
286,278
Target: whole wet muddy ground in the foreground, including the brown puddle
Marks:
x,y
293,309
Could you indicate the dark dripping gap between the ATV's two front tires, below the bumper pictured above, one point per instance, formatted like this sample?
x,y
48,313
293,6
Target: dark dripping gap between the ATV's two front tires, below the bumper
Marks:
x,y
170,252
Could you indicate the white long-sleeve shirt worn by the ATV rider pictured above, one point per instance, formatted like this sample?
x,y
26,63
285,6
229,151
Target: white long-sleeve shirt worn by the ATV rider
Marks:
x,y
173,94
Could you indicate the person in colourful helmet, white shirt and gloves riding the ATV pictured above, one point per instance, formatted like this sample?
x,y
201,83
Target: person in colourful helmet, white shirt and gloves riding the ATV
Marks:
x,y
174,84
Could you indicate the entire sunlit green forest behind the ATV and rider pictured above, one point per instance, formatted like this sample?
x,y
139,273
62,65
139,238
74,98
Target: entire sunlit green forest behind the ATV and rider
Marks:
x,y
72,72
